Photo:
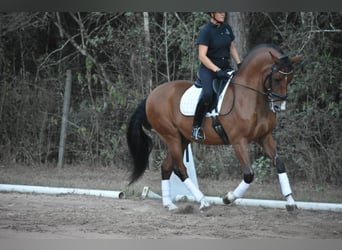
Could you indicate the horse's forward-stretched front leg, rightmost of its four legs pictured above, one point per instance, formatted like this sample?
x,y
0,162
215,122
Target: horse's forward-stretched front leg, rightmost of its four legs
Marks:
x,y
270,149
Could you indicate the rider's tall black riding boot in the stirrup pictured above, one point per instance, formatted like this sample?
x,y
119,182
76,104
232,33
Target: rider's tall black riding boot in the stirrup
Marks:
x,y
197,130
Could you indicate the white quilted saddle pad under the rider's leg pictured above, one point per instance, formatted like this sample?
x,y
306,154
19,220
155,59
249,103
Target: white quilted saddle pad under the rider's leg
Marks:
x,y
190,98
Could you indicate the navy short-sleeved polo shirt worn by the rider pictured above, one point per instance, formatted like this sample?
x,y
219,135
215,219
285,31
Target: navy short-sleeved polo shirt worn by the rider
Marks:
x,y
218,39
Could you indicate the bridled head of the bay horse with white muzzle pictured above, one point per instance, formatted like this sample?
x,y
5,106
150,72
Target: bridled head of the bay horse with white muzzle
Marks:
x,y
280,75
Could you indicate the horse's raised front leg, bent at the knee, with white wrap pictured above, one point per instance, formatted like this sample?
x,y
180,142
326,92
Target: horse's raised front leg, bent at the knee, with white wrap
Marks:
x,y
241,151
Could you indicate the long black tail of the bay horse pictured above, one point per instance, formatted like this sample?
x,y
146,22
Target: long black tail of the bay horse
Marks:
x,y
139,143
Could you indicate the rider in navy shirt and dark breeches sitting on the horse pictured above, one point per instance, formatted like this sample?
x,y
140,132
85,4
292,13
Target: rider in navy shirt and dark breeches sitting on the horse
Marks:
x,y
215,45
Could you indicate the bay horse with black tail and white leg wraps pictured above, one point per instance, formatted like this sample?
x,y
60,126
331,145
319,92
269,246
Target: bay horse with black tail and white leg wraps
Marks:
x,y
258,90
